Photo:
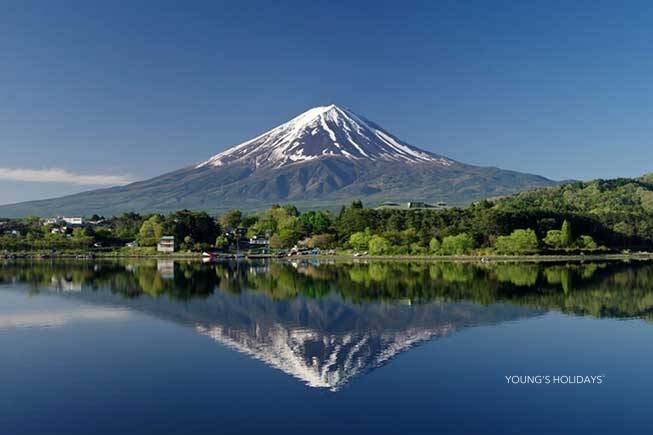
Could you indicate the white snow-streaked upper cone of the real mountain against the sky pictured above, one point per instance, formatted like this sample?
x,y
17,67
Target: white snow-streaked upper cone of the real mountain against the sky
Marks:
x,y
321,132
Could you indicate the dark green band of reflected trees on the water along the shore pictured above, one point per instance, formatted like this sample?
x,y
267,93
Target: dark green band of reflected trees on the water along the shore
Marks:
x,y
598,289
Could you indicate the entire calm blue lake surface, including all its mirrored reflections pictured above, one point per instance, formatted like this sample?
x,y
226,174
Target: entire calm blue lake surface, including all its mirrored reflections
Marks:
x,y
163,347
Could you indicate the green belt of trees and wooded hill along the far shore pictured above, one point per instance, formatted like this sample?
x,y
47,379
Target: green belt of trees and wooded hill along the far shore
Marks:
x,y
598,215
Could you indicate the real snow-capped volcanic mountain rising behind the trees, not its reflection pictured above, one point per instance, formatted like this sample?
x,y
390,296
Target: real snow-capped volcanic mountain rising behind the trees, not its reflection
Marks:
x,y
324,157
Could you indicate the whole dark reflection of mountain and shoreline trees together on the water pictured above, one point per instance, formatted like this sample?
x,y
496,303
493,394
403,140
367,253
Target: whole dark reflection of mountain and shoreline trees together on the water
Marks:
x,y
328,323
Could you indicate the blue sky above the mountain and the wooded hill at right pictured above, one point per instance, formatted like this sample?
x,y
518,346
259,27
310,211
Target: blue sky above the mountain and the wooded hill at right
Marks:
x,y
134,89
